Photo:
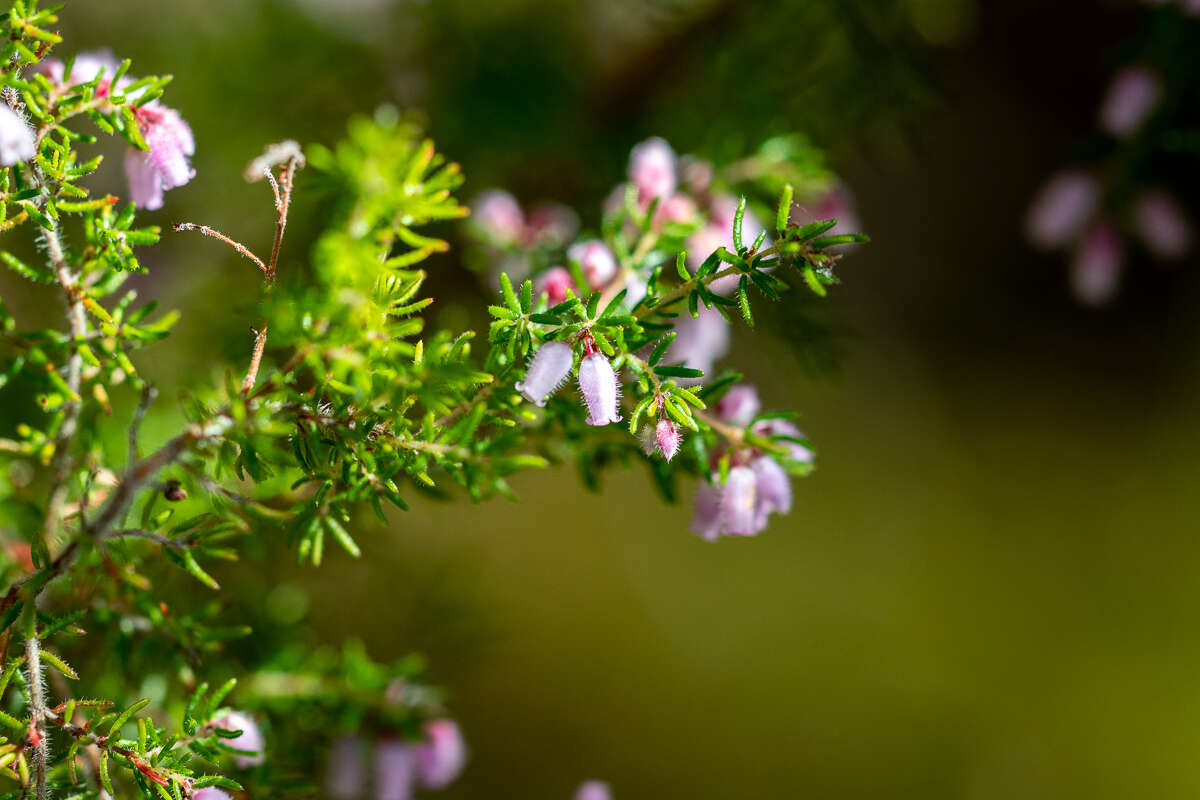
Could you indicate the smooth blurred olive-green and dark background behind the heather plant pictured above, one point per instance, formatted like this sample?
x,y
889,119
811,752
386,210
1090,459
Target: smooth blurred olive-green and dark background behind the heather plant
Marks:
x,y
989,588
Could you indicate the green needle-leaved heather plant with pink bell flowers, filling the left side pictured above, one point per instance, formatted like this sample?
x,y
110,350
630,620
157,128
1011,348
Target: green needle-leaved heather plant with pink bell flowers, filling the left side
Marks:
x,y
344,405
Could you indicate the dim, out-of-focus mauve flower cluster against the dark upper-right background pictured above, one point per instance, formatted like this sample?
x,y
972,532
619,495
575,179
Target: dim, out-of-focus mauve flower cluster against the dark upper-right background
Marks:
x,y
1067,213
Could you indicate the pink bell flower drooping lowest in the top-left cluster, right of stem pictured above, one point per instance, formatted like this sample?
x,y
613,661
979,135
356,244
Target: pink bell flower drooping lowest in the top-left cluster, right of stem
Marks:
x,y
166,165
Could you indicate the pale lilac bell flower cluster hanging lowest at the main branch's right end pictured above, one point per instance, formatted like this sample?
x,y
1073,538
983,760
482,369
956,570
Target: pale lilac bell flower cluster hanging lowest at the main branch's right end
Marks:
x,y
755,486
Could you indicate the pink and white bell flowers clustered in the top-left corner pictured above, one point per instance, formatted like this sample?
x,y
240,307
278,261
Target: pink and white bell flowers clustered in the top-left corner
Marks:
x,y
165,166
